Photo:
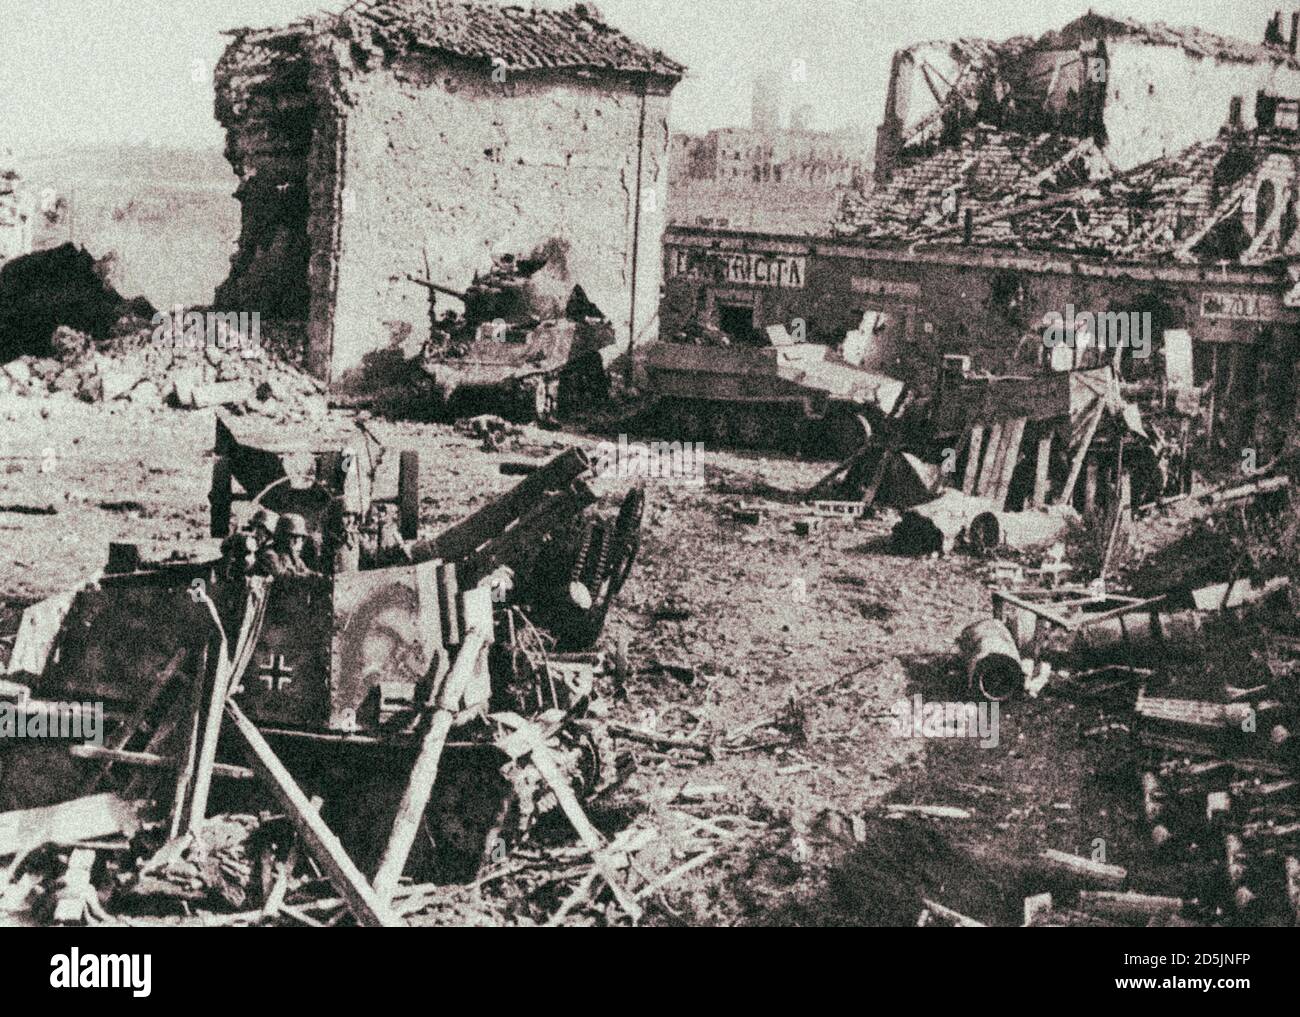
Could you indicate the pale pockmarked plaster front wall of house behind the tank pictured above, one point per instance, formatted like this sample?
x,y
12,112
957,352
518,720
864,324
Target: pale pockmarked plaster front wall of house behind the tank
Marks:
x,y
440,158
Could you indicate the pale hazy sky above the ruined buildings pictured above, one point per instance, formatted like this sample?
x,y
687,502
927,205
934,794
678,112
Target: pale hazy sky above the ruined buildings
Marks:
x,y
90,72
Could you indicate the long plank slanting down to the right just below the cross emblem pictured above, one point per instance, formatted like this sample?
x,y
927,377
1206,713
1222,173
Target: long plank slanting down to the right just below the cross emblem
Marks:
x,y
320,841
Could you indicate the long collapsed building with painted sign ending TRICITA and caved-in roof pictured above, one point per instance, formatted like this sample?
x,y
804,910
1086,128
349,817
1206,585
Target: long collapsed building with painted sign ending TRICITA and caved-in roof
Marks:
x,y
977,237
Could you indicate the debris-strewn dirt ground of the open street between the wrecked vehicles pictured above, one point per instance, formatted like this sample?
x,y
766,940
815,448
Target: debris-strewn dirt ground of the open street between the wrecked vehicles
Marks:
x,y
821,635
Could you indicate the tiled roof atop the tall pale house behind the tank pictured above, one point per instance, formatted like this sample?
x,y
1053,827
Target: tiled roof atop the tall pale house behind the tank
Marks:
x,y
514,37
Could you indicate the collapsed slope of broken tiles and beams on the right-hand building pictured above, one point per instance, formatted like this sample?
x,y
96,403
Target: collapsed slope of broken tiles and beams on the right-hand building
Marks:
x,y
1189,207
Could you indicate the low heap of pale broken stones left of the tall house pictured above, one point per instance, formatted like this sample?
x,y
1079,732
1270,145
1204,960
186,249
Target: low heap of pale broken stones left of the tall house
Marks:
x,y
157,366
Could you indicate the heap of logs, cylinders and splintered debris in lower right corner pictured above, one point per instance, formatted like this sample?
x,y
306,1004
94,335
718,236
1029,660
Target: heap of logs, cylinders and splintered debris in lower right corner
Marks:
x,y
1197,682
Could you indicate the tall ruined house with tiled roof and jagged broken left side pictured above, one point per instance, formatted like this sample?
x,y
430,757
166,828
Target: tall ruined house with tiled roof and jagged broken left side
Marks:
x,y
411,136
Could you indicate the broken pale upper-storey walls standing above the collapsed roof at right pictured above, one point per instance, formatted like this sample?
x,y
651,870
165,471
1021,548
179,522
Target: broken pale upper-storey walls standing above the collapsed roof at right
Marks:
x,y
1139,90
